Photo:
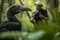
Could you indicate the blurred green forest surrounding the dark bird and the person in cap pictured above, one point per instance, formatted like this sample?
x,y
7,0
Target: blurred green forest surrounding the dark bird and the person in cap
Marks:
x,y
50,31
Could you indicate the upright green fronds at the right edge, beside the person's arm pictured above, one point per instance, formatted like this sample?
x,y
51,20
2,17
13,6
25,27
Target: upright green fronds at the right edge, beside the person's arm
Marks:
x,y
56,16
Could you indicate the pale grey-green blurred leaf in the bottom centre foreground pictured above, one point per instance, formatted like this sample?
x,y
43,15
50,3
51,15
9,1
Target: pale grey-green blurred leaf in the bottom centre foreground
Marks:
x,y
34,36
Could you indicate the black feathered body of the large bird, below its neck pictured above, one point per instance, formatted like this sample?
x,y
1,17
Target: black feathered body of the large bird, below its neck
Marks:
x,y
11,26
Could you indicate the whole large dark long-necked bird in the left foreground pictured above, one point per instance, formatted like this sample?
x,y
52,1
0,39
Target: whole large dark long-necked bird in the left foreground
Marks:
x,y
13,24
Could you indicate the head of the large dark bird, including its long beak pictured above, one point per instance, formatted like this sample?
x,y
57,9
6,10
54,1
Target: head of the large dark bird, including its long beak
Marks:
x,y
18,9
